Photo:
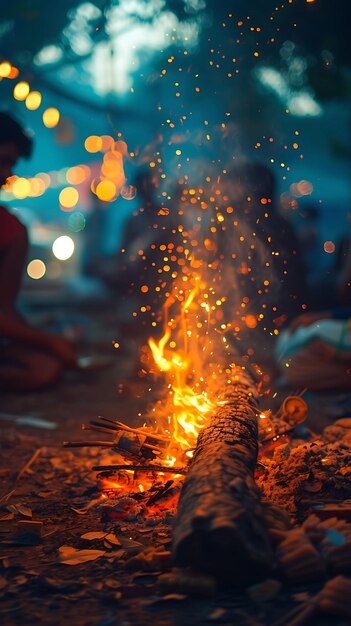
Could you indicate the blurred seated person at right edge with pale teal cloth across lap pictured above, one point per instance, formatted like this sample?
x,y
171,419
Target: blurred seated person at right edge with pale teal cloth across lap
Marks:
x,y
315,351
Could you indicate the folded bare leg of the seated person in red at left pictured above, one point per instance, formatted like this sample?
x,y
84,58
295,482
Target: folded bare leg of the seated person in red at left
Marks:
x,y
27,370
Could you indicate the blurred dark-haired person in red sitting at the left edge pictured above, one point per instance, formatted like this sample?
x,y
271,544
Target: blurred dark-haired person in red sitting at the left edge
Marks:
x,y
29,358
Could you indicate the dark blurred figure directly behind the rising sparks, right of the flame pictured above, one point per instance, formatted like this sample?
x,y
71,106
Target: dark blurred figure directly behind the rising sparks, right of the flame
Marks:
x,y
272,274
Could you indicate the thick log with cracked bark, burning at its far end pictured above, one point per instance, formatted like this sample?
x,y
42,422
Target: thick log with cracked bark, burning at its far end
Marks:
x,y
219,527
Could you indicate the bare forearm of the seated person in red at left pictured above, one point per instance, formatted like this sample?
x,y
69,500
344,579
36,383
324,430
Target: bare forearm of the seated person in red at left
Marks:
x,y
13,327
